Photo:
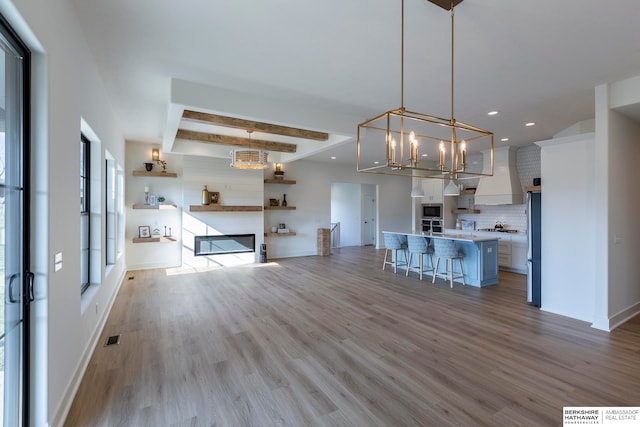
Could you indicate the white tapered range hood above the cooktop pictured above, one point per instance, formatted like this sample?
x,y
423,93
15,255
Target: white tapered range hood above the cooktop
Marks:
x,y
503,188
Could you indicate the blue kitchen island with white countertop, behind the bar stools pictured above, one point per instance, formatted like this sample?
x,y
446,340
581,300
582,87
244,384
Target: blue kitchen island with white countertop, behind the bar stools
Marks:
x,y
480,260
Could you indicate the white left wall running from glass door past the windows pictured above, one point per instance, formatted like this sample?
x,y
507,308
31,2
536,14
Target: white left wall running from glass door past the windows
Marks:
x,y
67,88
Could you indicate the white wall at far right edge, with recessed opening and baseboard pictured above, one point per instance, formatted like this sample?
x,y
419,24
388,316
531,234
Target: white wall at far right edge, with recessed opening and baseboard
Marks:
x,y
617,150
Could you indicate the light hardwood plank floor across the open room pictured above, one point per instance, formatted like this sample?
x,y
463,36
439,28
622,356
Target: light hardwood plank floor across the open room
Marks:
x,y
335,341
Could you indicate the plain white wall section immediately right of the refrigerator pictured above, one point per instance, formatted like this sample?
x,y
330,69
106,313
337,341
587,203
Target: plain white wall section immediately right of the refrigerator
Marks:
x,y
569,253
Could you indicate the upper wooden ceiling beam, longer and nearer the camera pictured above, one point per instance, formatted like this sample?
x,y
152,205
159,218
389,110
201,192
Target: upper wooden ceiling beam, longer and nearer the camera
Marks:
x,y
255,126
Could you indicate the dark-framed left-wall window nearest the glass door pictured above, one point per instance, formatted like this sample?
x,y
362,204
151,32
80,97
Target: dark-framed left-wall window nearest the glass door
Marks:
x,y
85,212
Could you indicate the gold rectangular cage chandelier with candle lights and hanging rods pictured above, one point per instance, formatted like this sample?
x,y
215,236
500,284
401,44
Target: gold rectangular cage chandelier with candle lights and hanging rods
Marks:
x,y
407,143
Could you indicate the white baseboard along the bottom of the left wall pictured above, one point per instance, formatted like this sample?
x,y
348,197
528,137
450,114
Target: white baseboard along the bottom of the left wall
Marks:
x,y
61,412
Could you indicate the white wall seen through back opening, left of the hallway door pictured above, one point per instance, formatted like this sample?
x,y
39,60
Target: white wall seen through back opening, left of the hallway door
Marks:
x,y
346,209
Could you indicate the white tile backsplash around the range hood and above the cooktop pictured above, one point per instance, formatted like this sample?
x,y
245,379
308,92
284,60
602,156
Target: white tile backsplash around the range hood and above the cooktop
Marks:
x,y
511,216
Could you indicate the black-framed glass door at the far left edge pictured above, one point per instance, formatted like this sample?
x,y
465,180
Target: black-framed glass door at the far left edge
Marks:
x,y
16,283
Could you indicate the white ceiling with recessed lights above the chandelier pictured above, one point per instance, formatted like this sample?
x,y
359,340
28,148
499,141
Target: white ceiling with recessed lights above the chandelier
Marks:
x,y
531,60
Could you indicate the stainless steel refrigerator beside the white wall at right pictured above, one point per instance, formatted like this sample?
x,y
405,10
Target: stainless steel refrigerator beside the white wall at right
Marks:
x,y
534,237
